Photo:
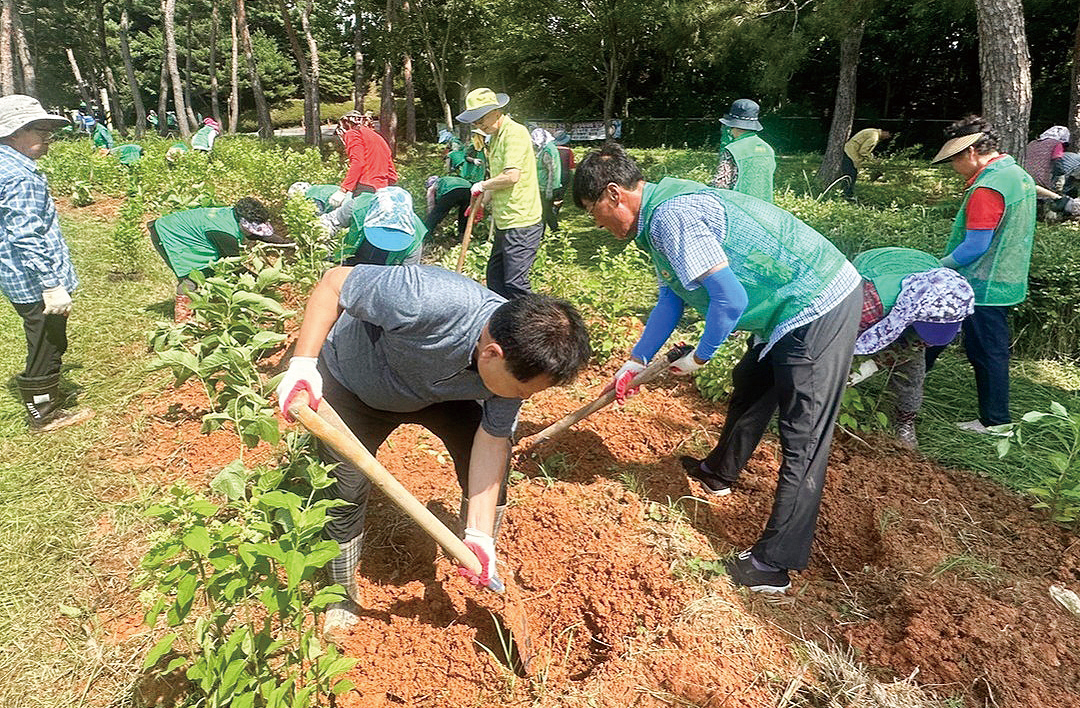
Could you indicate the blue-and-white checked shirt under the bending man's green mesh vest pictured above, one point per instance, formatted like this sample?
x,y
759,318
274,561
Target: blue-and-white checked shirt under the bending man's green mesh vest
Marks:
x,y
690,229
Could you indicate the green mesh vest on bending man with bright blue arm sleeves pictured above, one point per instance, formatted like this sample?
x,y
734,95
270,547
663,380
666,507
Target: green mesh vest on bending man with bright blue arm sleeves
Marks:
x,y
782,264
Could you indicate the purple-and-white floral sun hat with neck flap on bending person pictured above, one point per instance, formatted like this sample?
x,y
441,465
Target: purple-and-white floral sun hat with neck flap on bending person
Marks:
x,y
934,303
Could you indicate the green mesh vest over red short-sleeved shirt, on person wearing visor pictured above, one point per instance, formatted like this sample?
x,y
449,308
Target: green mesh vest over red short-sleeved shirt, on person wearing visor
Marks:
x,y
1000,277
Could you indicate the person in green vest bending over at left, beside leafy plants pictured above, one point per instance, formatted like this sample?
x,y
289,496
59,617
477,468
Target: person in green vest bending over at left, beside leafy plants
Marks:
x,y
193,240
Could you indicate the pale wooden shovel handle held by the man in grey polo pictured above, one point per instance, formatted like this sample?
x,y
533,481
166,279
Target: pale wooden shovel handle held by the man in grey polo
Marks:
x,y
329,428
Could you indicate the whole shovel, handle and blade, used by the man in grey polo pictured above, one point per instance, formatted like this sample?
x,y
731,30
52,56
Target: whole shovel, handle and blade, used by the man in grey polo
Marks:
x,y
330,429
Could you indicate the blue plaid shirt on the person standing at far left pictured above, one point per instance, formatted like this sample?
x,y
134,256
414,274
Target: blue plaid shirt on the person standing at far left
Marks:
x,y
33,254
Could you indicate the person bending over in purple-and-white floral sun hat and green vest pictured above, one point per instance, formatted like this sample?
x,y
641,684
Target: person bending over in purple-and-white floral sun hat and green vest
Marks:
x,y
910,303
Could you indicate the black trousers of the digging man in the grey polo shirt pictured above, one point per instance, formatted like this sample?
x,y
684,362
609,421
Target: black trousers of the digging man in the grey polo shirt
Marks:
x,y
454,423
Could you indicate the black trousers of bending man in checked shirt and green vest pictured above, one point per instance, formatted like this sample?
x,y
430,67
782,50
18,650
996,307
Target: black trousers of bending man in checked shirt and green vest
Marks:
x,y
804,377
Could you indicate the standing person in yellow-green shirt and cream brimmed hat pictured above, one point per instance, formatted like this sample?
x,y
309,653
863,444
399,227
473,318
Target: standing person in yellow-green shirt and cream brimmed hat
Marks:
x,y
514,192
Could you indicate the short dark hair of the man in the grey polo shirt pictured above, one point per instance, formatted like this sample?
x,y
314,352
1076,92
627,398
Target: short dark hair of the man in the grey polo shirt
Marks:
x,y
542,336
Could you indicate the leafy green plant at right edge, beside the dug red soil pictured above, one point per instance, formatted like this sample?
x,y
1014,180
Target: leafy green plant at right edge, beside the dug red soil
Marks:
x,y
1055,439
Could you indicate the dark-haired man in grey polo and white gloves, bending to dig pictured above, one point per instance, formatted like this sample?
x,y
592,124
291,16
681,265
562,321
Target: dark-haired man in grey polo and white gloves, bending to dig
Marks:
x,y
420,345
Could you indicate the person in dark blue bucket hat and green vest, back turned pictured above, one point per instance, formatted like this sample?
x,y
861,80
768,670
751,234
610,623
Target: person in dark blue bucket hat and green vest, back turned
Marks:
x,y
748,164
